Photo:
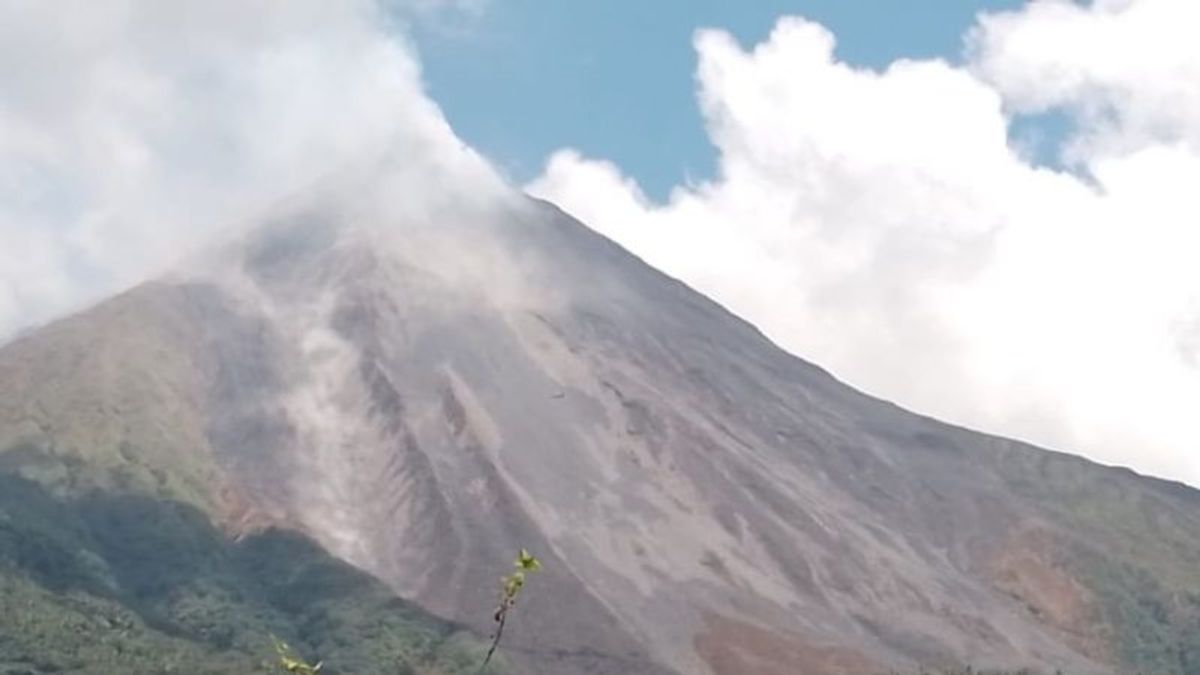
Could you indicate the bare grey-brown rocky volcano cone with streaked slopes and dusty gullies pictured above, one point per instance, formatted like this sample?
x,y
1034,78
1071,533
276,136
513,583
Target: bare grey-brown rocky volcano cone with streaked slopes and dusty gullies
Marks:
x,y
425,391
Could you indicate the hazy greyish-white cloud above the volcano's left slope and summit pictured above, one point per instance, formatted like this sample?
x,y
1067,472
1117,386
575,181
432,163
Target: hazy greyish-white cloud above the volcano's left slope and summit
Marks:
x,y
130,132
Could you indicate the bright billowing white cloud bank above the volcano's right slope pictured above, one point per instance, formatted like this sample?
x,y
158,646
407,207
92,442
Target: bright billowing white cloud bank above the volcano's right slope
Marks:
x,y
883,225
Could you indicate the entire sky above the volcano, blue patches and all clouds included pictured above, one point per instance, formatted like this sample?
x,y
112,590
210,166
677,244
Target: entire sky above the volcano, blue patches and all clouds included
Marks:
x,y
982,211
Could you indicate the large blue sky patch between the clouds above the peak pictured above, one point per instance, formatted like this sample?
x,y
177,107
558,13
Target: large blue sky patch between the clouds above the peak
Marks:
x,y
615,79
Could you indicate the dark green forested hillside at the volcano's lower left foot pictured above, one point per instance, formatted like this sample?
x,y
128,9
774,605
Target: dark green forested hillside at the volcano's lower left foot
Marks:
x,y
104,583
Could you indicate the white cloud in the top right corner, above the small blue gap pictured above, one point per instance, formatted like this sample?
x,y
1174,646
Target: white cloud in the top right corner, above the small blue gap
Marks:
x,y
1126,69
